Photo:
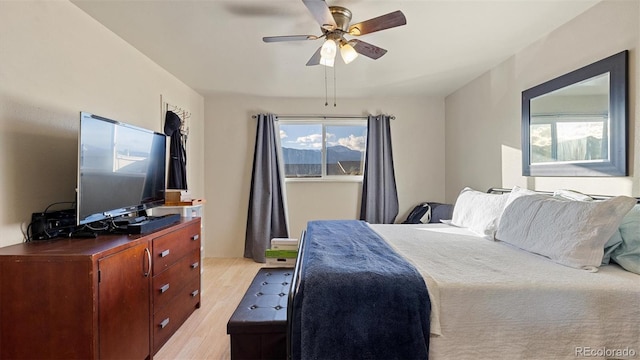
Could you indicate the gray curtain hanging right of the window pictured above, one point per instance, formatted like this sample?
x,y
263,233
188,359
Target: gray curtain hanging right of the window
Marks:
x,y
379,193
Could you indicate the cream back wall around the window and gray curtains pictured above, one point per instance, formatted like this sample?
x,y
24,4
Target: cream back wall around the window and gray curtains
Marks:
x,y
418,147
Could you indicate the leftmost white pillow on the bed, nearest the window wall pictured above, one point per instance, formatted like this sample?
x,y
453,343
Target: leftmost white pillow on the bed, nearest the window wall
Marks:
x,y
478,211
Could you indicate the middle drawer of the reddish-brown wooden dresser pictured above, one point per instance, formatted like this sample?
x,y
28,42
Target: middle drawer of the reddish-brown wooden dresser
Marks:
x,y
170,282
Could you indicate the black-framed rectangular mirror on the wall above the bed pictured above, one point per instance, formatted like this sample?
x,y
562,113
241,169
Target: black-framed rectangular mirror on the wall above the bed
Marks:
x,y
576,124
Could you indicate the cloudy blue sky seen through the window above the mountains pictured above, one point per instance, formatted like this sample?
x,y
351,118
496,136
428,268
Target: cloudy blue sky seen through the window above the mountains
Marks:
x,y
303,136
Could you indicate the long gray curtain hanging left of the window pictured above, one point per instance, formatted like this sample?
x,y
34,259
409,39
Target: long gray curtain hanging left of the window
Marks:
x,y
266,218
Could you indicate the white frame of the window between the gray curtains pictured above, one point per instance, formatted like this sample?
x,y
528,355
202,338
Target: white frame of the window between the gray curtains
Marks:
x,y
324,123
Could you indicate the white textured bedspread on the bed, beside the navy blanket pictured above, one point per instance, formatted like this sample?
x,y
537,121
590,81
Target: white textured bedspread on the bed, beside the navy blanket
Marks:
x,y
492,301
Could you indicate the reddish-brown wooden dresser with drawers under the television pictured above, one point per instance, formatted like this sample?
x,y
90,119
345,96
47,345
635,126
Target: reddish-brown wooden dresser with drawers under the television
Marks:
x,y
98,298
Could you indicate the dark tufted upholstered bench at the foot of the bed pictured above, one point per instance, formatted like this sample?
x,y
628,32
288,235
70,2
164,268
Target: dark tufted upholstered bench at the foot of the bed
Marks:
x,y
258,327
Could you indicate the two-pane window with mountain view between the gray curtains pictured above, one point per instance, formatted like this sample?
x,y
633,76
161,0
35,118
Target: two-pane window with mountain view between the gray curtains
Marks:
x,y
332,149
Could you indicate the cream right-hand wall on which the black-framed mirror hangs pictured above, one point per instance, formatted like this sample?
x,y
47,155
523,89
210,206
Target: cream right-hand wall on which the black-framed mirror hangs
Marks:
x,y
483,146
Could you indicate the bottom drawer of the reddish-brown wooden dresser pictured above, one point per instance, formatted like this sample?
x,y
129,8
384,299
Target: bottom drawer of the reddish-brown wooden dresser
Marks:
x,y
168,319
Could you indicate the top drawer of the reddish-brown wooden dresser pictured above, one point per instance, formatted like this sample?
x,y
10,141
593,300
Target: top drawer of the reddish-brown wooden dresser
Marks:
x,y
169,248
